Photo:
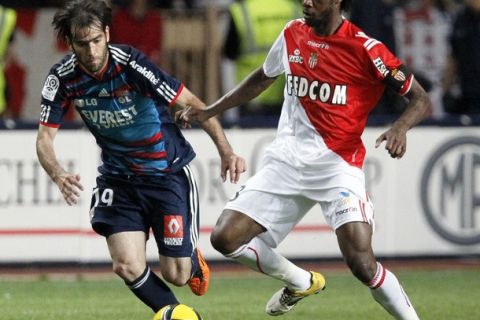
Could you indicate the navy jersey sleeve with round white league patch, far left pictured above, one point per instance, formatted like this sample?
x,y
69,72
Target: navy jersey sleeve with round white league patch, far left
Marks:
x,y
54,103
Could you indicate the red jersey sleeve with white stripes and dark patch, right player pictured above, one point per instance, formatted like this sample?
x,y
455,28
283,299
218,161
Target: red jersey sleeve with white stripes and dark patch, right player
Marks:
x,y
388,68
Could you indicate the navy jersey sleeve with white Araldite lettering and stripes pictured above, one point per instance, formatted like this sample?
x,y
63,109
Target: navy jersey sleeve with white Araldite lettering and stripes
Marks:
x,y
151,80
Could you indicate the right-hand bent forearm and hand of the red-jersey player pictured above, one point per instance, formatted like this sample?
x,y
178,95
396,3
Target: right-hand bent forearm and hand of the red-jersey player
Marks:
x,y
417,109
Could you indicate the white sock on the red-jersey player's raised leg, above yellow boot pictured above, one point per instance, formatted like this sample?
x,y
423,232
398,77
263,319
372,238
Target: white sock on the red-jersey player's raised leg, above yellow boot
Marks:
x,y
258,256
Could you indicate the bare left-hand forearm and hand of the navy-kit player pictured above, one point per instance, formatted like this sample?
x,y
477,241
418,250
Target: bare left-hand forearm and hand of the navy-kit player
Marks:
x,y
68,183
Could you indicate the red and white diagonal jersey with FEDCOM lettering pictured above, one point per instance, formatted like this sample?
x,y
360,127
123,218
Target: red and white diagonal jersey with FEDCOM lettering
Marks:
x,y
332,84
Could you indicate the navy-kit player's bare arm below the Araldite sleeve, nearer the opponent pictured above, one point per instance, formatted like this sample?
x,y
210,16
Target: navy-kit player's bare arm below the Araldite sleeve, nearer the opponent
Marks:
x,y
230,162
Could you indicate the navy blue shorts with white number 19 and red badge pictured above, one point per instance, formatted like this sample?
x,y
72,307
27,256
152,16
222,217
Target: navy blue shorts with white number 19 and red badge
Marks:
x,y
168,205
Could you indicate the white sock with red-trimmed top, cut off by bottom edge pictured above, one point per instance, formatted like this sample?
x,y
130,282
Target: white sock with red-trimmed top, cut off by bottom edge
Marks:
x,y
388,292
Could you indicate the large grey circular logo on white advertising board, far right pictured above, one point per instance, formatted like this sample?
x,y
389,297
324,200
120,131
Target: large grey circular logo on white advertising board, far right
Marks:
x,y
450,190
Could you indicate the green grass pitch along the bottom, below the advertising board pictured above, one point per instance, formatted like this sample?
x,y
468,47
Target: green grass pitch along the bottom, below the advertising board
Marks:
x,y
437,294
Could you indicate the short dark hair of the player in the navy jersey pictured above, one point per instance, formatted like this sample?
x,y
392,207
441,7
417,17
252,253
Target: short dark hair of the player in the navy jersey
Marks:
x,y
81,14
